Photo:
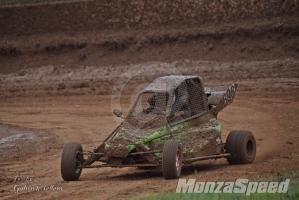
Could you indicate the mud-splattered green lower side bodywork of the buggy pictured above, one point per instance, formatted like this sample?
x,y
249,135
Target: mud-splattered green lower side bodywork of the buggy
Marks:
x,y
195,135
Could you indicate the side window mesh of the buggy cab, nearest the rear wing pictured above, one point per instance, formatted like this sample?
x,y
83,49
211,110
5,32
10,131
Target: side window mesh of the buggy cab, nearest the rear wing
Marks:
x,y
188,100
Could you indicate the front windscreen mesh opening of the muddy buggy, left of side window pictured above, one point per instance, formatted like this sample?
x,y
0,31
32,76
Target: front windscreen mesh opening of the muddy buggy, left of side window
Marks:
x,y
151,103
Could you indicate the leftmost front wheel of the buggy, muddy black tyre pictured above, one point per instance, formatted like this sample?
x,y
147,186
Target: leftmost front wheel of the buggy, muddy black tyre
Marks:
x,y
70,161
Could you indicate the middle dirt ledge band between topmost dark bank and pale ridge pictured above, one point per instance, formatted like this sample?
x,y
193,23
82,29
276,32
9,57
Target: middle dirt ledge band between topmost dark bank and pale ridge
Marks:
x,y
248,40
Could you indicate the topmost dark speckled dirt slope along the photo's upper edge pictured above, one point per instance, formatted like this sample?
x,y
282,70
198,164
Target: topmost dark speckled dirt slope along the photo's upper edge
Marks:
x,y
98,15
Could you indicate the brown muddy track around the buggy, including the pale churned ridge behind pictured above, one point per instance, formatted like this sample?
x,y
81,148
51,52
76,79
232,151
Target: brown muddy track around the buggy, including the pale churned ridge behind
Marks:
x,y
80,110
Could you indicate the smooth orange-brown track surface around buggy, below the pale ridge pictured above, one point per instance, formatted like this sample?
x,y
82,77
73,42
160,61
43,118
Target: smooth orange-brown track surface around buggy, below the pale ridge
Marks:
x,y
50,121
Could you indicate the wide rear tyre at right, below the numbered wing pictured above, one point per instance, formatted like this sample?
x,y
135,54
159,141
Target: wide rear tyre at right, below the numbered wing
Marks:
x,y
242,147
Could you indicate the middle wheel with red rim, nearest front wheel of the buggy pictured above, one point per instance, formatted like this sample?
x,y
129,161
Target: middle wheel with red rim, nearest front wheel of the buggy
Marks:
x,y
172,159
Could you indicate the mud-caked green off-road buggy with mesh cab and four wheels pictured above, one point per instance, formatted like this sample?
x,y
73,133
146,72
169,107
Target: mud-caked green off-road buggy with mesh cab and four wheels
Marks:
x,y
172,123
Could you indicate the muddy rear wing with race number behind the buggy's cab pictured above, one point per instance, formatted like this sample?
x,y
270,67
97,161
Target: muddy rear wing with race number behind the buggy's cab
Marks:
x,y
220,98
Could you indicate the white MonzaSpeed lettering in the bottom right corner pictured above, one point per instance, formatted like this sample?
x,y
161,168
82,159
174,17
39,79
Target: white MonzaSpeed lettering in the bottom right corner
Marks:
x,y
239,186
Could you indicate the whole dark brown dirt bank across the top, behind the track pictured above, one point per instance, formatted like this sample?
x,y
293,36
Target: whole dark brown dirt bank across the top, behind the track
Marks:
x,y
102,33
